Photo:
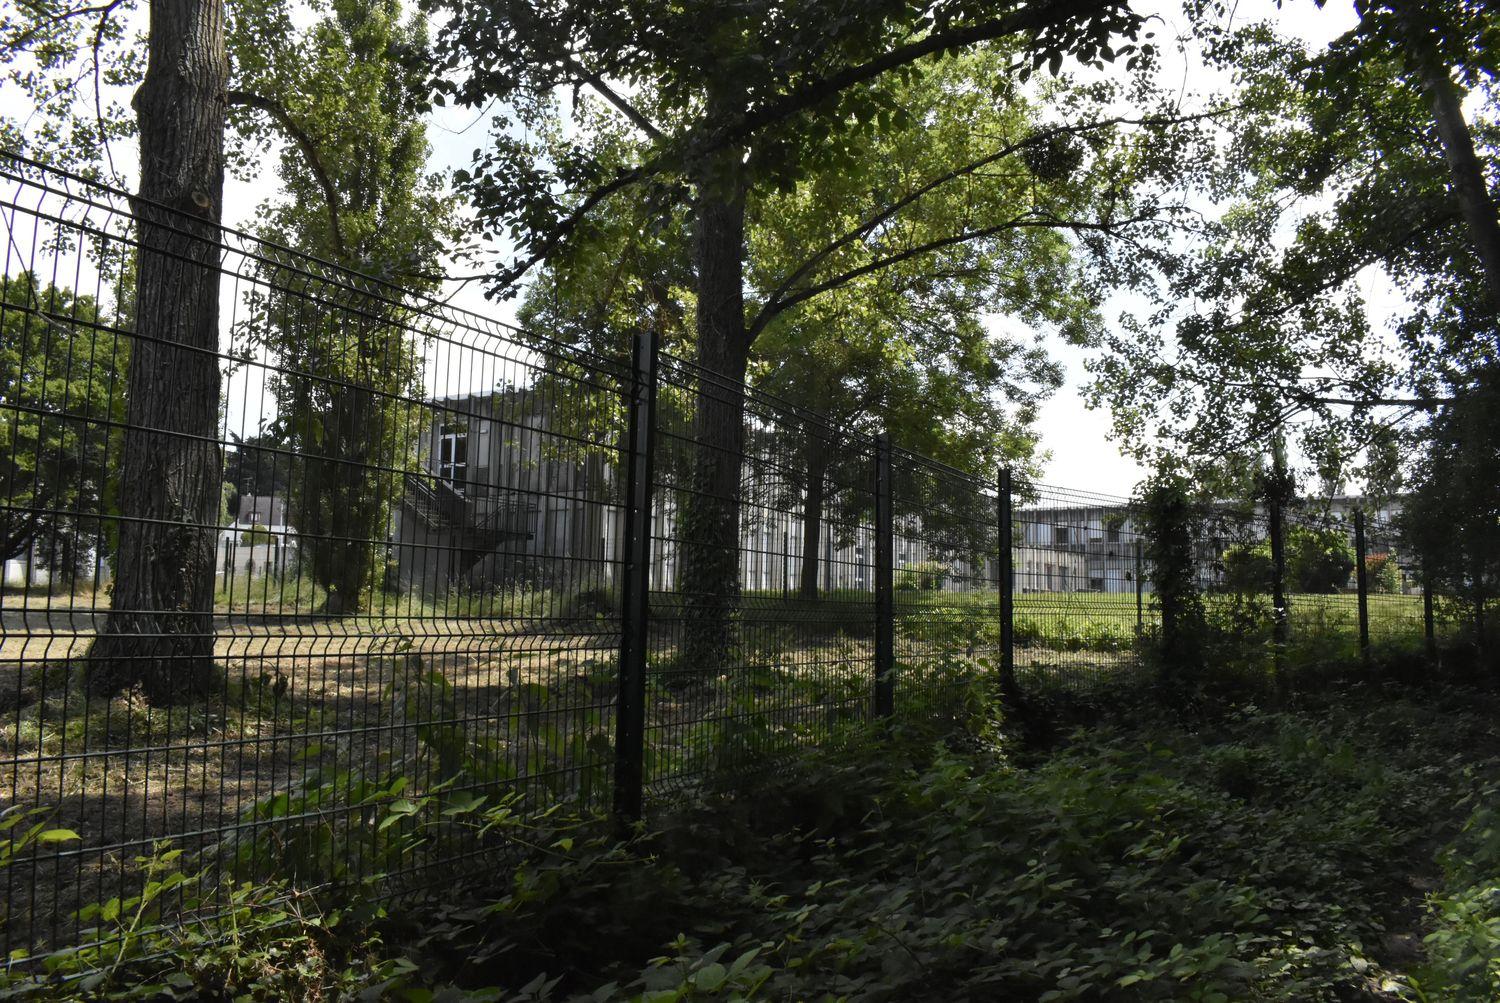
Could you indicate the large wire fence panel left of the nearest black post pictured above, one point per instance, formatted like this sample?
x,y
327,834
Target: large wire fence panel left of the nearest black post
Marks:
x,y
413,545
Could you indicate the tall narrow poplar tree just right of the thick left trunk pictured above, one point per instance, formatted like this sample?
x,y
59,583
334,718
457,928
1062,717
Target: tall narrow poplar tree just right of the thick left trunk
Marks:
x,y
353,91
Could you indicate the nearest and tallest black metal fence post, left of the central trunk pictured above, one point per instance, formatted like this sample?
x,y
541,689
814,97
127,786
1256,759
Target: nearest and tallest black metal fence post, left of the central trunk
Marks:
x,y
631,711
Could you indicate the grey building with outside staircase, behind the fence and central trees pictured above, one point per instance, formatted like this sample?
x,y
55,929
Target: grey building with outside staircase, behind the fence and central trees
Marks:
x,y
508,500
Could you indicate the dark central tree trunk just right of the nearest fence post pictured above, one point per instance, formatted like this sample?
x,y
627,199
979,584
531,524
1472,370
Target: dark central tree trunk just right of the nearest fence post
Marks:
x,y
710,572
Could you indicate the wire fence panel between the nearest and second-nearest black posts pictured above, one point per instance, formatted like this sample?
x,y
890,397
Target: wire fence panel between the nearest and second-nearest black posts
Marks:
x,y
763,606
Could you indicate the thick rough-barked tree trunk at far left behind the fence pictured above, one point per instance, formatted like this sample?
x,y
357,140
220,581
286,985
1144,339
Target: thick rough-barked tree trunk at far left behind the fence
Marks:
x,y
160,632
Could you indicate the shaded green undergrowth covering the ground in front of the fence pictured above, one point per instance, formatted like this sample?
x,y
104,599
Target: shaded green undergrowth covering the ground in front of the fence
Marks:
x,y
1342,848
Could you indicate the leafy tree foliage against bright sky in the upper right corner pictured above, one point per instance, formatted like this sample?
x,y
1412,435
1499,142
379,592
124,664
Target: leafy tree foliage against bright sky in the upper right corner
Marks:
x,y
1334,173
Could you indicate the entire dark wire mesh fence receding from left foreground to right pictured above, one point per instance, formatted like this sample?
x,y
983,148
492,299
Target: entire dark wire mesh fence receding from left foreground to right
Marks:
x,y
415,575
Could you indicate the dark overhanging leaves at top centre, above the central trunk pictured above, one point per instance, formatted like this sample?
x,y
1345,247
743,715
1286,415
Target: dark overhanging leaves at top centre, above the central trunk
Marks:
x,y
787,82
